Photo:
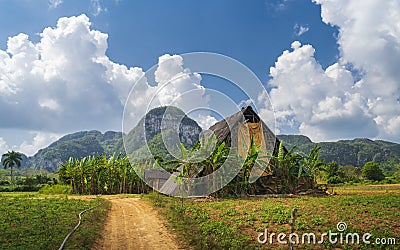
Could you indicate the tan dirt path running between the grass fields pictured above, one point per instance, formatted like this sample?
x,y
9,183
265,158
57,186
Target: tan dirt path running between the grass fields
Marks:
x,y
133,224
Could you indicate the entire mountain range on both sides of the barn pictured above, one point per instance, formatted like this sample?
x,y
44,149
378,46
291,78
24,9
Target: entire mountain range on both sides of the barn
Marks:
x,y
354,152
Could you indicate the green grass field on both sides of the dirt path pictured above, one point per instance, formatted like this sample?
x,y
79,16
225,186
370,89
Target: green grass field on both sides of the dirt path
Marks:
x,y
37,221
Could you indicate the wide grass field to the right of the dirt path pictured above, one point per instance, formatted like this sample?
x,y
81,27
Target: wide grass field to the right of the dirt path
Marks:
x,y
236,223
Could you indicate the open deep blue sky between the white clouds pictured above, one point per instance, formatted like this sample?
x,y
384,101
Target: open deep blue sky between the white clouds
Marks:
x,y
140,31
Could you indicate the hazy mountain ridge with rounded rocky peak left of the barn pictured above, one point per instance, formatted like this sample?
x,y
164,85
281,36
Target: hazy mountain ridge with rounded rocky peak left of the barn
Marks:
x,y
84,143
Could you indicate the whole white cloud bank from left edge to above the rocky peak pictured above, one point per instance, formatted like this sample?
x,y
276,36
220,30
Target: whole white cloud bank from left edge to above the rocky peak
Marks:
x,y
66,82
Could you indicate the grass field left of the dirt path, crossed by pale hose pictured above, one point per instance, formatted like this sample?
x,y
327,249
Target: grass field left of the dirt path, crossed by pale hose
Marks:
x,y
33,221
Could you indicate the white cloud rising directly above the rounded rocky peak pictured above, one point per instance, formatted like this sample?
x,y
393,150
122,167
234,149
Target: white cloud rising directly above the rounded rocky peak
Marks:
x,y
173,85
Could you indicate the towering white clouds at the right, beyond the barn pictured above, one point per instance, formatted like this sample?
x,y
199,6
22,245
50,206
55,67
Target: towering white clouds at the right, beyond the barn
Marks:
x,y
329,104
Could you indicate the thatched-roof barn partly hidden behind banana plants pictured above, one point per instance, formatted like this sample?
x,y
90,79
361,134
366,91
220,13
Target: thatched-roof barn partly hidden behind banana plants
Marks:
x,y
236,131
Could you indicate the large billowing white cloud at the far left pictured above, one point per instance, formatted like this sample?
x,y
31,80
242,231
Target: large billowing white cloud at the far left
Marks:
x,y
64,82
